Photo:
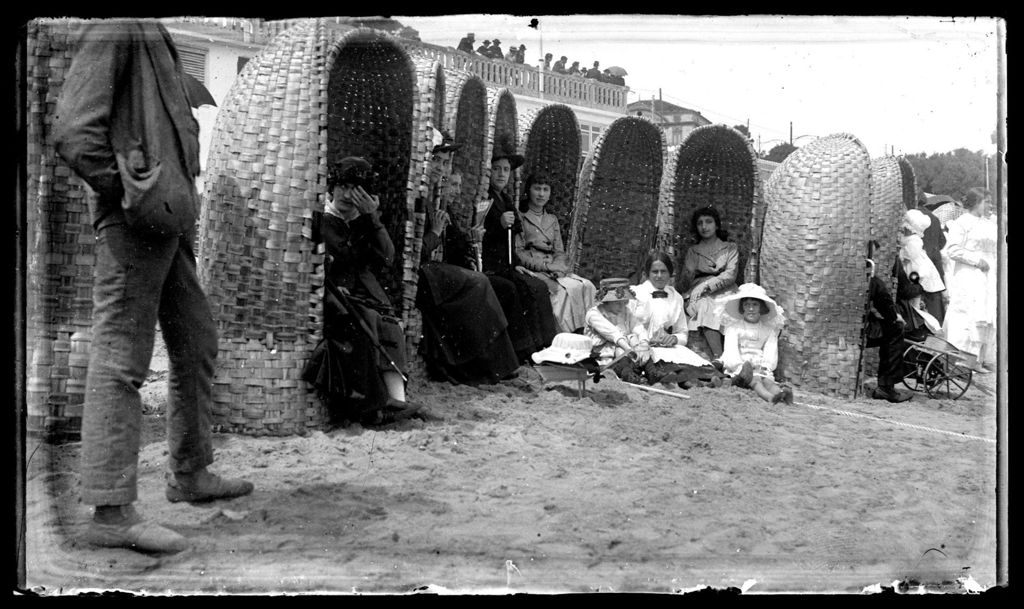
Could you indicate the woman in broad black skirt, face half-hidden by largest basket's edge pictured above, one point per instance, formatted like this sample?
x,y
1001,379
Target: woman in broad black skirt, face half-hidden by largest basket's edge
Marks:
x,y
464,328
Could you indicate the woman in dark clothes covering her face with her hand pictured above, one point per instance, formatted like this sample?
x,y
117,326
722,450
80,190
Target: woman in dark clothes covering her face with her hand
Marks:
x,y
357,381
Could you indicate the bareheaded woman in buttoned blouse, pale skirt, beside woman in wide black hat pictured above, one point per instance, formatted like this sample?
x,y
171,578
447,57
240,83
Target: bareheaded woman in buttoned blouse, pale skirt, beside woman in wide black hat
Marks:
x,y
540,250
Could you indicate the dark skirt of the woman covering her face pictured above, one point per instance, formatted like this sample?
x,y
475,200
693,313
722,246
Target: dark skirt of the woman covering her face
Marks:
x,y
347,369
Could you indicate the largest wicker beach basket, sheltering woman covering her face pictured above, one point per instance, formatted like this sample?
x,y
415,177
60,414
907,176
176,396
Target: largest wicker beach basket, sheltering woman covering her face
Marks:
x,y
311,98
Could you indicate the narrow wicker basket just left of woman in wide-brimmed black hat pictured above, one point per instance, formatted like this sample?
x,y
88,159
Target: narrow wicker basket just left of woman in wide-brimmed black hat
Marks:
x,y
467,112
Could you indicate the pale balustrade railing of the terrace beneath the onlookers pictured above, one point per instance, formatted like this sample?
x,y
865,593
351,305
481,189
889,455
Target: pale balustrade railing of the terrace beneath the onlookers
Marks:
x,y
519,78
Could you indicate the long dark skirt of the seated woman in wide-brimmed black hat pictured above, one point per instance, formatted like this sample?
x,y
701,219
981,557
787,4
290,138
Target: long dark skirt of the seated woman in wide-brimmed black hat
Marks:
x,y
528,310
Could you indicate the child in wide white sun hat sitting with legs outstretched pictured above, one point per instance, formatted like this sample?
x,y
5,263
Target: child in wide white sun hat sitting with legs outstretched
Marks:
x,y
751,345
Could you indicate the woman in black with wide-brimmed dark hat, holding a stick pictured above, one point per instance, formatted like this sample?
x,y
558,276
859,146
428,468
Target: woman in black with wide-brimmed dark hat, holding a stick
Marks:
x,y
525,299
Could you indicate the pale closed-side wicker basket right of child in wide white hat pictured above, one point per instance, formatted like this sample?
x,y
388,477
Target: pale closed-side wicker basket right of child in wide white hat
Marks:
x,y
817,228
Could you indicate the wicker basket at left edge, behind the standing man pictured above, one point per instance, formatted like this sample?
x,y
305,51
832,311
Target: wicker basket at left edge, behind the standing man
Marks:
x,y
61,248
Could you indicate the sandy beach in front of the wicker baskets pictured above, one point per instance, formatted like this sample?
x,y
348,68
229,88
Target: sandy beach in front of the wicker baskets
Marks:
x,y
526,488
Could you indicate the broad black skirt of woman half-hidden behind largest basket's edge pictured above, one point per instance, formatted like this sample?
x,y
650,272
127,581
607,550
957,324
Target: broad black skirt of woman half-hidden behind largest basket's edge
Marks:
x,y
464,327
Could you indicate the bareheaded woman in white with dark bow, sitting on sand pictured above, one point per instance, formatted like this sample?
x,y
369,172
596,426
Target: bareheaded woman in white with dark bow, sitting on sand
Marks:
x,y
667,325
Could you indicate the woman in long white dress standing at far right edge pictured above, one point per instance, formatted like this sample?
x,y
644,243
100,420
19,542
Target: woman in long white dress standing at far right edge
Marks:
x,y
971,247
